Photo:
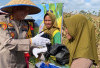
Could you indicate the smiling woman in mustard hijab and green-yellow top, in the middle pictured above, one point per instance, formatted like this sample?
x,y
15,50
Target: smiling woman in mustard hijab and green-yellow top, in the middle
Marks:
x,y
51,27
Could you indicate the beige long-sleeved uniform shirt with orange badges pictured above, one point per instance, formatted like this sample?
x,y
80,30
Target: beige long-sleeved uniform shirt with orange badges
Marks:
x,y
13,43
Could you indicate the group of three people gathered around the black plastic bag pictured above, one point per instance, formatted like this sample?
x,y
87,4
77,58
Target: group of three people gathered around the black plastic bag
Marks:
x,y
15,46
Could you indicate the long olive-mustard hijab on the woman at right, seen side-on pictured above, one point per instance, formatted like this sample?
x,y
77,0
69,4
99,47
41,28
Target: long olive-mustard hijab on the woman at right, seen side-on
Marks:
x,y
83,45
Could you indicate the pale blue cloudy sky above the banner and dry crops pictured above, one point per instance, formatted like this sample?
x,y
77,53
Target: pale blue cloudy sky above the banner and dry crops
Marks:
x,y
69,5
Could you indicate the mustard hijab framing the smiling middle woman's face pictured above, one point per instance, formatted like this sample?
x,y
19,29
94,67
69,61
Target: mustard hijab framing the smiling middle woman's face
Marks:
x,y
54,25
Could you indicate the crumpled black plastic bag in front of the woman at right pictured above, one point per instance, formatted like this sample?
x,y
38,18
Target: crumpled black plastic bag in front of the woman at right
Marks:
x,y
59,51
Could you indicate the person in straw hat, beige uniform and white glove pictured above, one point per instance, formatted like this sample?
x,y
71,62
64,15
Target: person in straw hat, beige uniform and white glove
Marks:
x,y
13,31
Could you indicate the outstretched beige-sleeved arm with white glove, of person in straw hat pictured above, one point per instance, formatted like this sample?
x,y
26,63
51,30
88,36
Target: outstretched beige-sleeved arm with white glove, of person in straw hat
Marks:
x,y
21,44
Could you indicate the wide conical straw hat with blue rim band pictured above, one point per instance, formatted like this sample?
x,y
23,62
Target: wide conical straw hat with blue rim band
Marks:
x,y
33,9
